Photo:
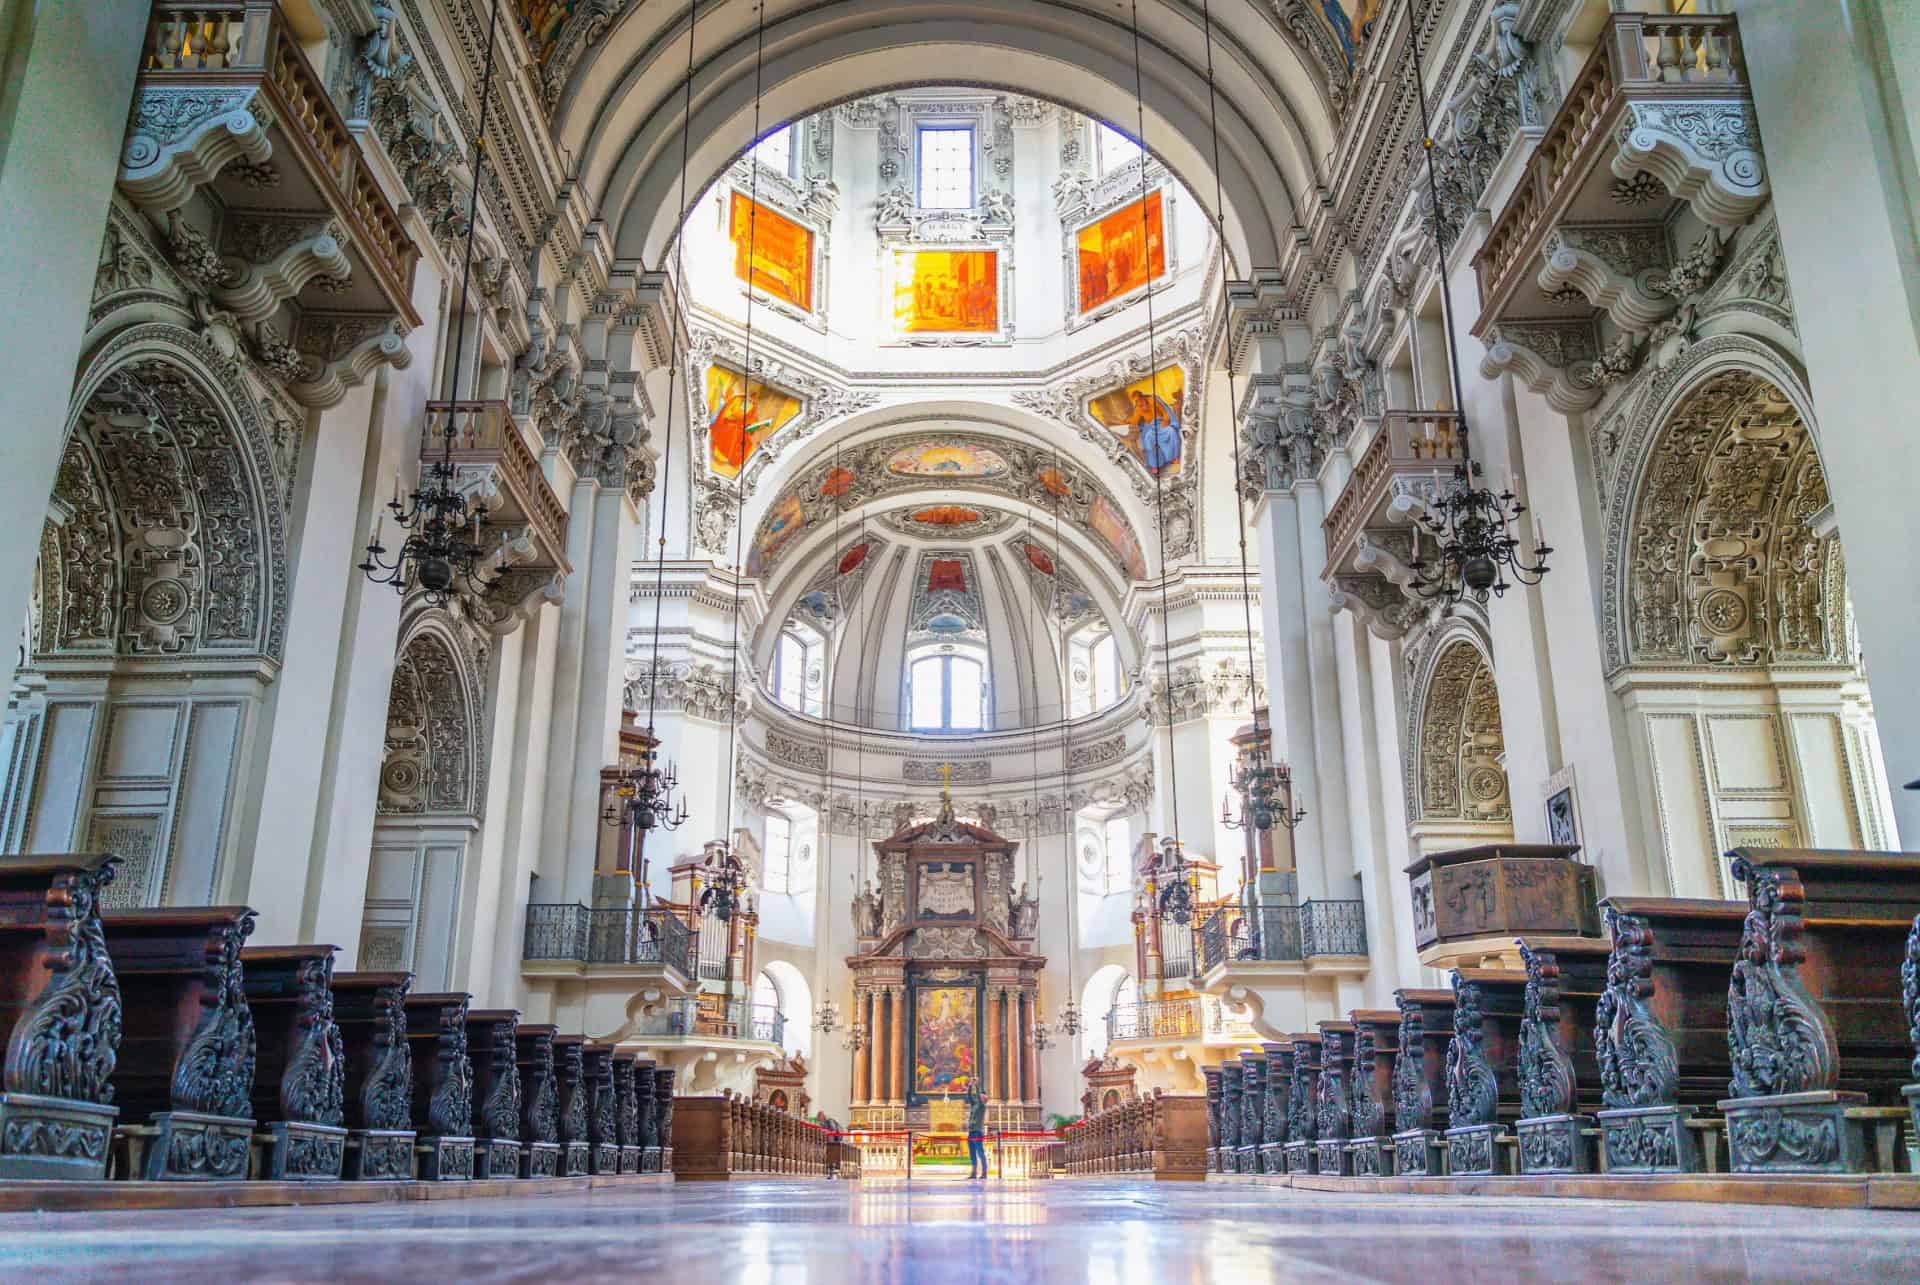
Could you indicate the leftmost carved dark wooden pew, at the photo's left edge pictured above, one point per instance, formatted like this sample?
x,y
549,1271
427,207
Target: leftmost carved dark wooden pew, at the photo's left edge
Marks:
x,y
60,1017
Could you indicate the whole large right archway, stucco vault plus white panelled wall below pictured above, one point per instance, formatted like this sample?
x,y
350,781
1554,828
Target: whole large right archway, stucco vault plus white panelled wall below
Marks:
x,y
1752,723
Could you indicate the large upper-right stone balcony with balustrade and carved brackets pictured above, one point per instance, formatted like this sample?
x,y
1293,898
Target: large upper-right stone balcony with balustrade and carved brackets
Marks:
x,y
1660,116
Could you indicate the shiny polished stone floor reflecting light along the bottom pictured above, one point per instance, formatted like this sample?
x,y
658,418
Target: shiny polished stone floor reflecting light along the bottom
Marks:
x,y
1090,1230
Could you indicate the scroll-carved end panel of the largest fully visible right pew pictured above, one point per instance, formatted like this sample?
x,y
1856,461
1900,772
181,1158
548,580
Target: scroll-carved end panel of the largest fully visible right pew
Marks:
x,y
1781,1038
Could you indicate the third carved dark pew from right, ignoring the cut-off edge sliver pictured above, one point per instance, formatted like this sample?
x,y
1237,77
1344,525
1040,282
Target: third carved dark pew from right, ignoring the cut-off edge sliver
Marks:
x,y
1560,1073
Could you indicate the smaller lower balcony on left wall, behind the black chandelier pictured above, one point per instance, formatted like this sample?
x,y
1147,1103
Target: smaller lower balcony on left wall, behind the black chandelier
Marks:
x,y
492,460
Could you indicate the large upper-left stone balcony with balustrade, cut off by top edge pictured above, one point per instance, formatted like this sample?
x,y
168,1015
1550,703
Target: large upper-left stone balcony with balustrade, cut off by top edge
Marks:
x,y
228,103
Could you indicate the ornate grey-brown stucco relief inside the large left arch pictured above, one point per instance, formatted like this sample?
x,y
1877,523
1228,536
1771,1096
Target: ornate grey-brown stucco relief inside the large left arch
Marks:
x,y
166,546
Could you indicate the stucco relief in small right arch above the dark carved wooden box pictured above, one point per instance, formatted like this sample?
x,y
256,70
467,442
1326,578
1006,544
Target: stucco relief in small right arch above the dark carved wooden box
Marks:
x,y
1460,740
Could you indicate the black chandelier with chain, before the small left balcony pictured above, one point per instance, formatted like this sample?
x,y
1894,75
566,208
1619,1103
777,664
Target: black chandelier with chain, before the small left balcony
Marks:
x,y
443,550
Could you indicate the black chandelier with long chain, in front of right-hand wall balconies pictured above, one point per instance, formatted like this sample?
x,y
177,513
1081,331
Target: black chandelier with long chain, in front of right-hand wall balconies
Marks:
x,y
1470,527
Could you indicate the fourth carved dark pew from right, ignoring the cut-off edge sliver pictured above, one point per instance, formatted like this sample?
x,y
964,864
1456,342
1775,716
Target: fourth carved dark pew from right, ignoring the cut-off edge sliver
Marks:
x,y
1483,1067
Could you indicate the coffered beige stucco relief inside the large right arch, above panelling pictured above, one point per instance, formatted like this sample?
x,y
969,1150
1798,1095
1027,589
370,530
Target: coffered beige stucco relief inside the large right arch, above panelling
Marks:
x,y
1725,568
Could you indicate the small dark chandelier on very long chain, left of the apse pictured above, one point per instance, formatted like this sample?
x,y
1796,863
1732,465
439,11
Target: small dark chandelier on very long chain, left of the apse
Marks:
x,y
644,794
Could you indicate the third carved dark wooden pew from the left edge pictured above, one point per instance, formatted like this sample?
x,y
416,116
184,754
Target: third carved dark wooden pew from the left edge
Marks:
x,y
300,1069
